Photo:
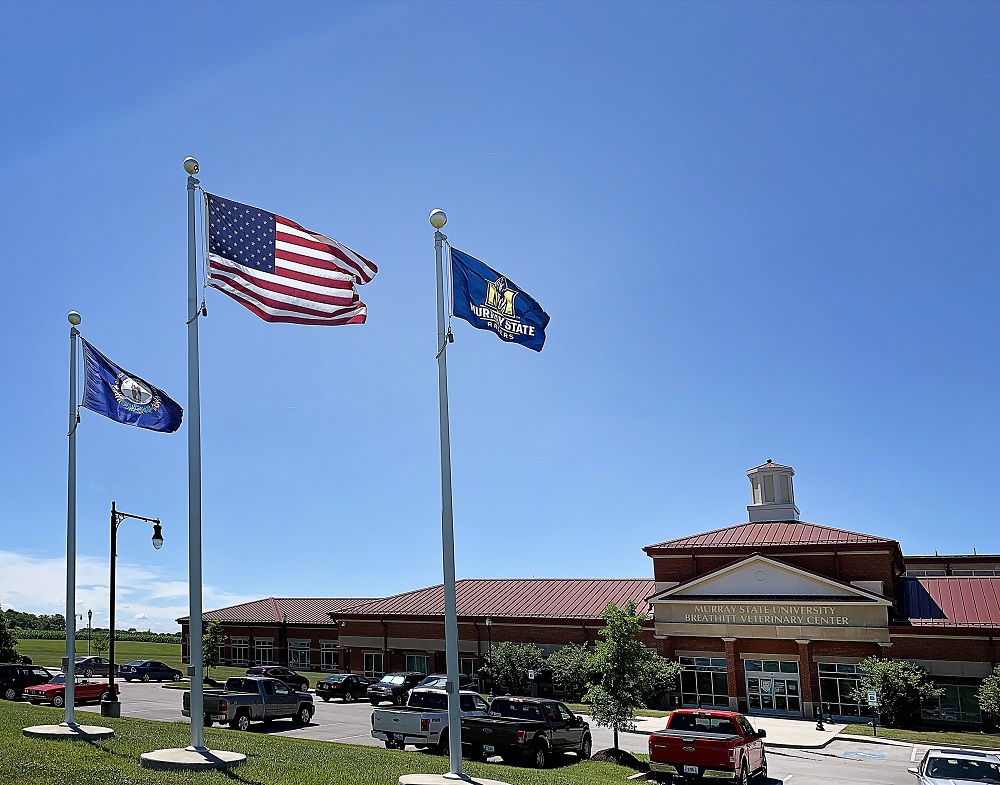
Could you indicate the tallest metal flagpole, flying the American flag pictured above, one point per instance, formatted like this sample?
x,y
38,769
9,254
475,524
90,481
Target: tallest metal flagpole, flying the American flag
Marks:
x,y
195,663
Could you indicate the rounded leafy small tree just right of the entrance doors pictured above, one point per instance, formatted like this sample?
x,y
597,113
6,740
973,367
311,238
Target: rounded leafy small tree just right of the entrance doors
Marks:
x,y
901,687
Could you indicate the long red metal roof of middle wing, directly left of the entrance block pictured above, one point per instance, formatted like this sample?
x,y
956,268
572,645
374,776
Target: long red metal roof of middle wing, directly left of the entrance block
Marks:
x,y
555,598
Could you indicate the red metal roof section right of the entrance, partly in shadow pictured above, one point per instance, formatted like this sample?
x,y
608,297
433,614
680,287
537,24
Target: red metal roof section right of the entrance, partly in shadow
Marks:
x,y
952,602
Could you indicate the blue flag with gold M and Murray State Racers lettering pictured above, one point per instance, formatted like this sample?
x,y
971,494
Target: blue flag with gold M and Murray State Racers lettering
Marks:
x,y
490,301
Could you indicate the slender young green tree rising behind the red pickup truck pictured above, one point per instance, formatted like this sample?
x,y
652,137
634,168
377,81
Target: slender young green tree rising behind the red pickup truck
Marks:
x,y
623,661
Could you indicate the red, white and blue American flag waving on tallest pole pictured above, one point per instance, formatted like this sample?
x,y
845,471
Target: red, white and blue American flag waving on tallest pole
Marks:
x,y
280,271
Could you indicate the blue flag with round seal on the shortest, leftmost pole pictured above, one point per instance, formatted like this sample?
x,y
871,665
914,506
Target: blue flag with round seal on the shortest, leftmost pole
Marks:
x,y
124,397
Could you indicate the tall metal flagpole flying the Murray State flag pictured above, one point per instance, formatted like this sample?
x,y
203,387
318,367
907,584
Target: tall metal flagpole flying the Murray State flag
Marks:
x,y
438,219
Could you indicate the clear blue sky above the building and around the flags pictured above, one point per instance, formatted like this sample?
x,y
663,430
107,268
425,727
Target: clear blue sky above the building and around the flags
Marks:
x,y
762,230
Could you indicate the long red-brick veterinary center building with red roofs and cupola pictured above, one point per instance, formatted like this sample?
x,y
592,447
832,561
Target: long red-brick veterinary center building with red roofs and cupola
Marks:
x,y
768,616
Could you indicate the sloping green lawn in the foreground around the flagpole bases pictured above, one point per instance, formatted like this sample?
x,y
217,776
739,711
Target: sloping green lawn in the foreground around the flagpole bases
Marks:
x,y
271,760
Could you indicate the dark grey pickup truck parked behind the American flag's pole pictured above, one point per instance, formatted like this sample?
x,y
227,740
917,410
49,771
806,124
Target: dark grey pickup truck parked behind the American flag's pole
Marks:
x,y
247,699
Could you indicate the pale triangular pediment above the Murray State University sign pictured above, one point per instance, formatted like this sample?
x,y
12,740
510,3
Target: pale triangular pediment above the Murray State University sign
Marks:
x,y
758,577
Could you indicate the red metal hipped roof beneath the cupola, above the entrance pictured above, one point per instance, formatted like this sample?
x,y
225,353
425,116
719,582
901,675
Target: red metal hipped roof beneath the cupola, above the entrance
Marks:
x,y
753,535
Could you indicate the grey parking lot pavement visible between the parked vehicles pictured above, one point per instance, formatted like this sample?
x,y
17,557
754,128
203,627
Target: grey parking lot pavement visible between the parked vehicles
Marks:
x,y
850,763
